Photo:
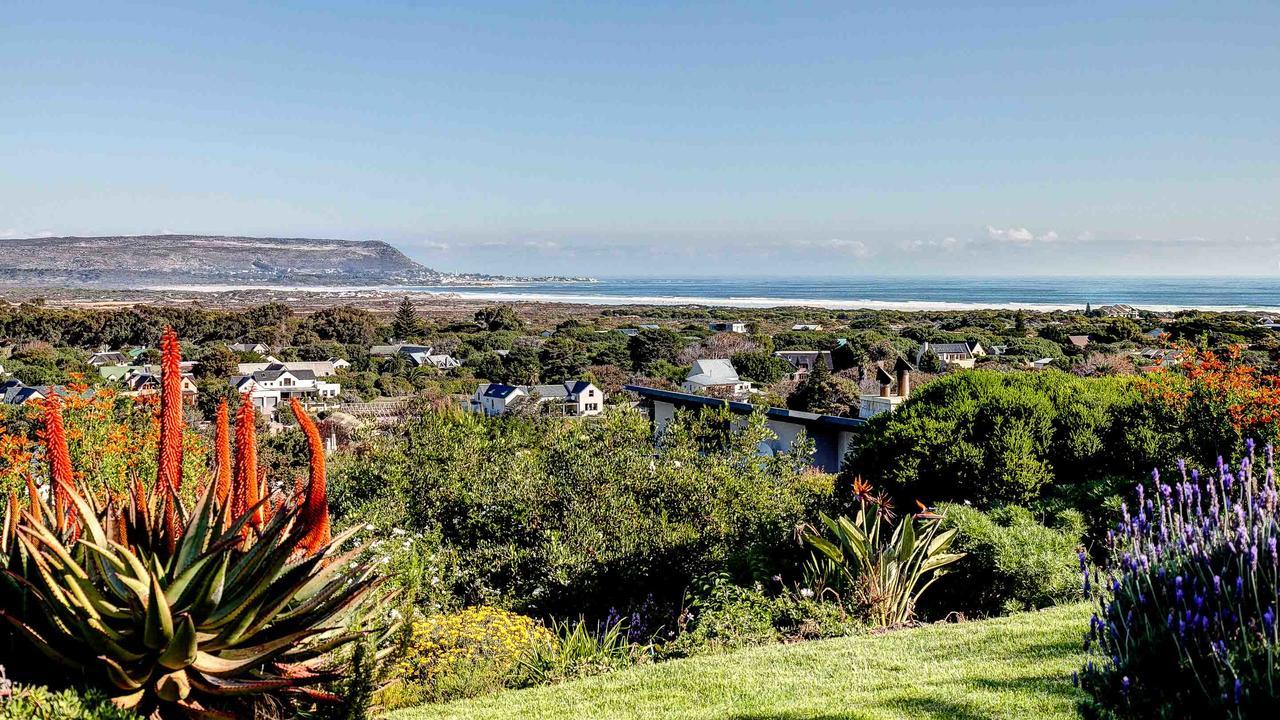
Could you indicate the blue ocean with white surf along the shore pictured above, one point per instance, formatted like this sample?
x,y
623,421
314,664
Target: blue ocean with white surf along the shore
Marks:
x,y
898,293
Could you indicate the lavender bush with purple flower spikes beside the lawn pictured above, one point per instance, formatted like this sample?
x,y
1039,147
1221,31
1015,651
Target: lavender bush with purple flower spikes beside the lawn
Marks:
x,y
1186,625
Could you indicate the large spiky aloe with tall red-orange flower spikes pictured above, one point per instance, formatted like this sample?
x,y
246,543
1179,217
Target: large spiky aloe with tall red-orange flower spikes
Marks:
x,y
182,612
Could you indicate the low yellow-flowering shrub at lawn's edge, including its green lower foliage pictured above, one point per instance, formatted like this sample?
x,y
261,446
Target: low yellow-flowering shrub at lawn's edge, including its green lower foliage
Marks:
x,y
465,654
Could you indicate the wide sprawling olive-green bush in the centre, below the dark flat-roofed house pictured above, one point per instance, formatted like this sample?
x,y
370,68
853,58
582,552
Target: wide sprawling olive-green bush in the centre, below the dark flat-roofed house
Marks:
x,y
565,517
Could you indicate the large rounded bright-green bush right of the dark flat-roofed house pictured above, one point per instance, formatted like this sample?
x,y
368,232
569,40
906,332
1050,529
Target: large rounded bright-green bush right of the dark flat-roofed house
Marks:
x,y
1000,439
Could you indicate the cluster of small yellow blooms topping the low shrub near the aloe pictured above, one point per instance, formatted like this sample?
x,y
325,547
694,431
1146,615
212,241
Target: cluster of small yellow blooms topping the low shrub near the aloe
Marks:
x,y
484,640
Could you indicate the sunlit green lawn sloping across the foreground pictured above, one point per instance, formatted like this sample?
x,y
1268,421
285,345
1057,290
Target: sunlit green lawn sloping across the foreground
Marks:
x,y
1016,667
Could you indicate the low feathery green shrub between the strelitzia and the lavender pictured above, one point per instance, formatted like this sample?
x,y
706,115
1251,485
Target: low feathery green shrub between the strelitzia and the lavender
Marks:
x,y
1013,562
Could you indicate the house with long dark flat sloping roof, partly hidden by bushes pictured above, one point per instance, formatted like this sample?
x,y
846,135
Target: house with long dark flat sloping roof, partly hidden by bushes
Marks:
x,y
831,435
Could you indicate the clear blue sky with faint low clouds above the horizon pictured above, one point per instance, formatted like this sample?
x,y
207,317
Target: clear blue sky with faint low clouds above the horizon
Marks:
x,y
829,139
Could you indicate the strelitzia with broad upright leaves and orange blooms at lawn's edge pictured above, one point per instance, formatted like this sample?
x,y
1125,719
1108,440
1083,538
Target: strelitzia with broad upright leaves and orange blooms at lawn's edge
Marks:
x,y
886,571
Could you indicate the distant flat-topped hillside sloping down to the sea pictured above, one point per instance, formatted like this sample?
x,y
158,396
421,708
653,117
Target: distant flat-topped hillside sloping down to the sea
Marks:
x,y
193,259
